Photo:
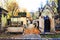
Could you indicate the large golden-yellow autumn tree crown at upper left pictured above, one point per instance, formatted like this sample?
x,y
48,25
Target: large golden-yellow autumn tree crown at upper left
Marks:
x,y
13,8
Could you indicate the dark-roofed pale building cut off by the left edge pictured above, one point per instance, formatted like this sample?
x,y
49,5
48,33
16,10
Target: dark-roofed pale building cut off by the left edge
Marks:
x,y
3,14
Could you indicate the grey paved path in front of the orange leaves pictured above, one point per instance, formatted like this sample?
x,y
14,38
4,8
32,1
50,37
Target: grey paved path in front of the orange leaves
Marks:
x,y
27,36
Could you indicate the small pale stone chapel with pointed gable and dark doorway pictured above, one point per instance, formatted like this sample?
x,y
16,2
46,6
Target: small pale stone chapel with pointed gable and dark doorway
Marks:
x,y
47,24
